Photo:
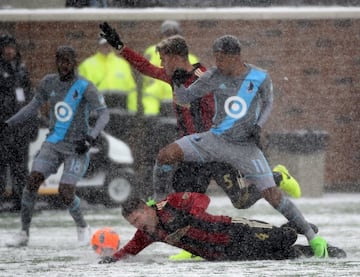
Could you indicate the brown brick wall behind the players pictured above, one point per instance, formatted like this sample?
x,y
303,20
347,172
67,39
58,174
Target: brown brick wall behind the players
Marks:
x,y
315,66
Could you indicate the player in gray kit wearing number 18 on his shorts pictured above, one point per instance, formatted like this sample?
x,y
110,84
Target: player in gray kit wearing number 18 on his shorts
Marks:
x,y
70,99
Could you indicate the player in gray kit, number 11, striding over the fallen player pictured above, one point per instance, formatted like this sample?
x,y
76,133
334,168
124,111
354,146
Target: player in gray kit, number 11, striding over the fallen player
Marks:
x,y
243,98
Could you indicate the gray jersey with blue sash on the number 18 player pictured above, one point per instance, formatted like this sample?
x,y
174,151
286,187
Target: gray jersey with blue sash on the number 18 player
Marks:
x,y
70,104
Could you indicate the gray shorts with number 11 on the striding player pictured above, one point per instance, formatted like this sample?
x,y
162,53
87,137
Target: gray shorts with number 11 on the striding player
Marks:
x,y
246,157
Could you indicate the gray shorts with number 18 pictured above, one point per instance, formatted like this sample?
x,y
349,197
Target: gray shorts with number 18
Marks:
x,y
50,157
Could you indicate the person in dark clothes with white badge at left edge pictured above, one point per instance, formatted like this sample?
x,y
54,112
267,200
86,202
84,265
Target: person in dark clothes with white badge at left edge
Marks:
x,y
15,92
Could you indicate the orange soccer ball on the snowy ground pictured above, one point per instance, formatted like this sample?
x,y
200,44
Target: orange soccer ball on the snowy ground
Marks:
x,y
105,241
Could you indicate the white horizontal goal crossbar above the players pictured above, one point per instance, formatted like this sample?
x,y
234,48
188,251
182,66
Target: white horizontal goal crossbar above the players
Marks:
x,y
235,13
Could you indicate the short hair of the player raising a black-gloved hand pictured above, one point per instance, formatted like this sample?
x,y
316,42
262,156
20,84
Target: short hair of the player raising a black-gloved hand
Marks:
x,y
174,45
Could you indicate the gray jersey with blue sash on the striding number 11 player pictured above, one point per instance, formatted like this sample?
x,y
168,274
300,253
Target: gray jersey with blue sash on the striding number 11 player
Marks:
x,y
240,102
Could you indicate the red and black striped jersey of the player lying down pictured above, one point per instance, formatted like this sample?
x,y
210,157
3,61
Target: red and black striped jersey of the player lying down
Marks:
x,y
184,223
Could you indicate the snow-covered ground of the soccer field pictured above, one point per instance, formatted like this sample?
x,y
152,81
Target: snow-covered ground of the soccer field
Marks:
x,y
53,250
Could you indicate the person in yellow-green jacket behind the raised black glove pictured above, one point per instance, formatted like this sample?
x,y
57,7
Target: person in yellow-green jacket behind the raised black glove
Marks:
x,y
111,74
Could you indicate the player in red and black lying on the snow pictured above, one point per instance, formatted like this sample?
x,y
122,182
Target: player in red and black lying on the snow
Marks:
x,y
181,220
